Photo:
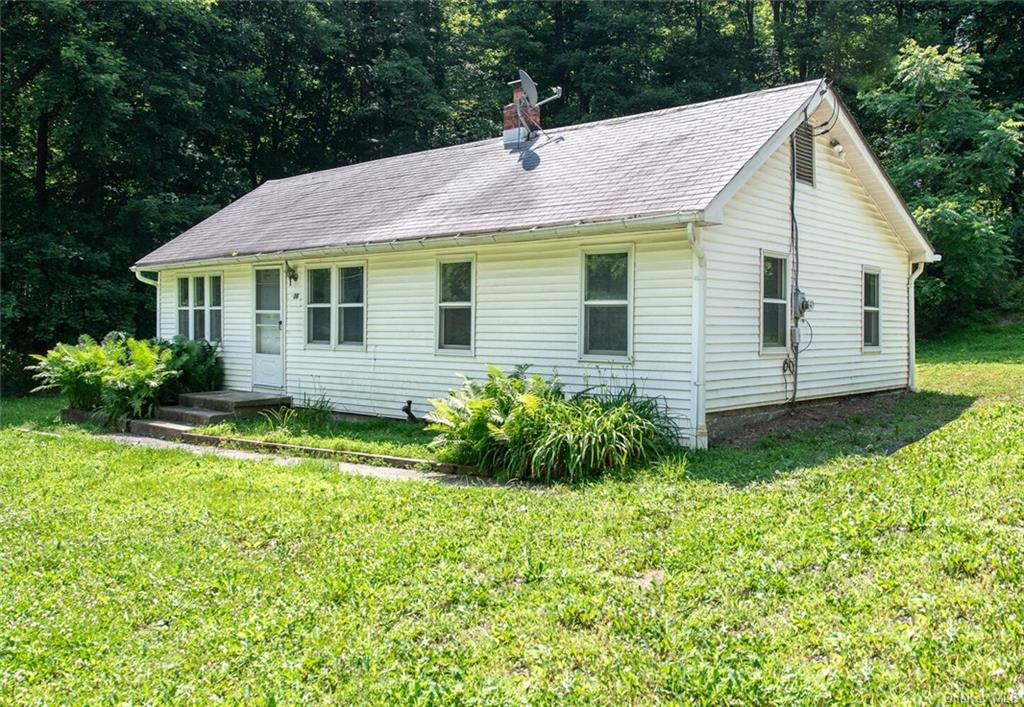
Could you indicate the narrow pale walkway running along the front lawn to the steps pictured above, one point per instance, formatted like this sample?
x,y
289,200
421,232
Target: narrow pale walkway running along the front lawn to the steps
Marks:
x,y
389,473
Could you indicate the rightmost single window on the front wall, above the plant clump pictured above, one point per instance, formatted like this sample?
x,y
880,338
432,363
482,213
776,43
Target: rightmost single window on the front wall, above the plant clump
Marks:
x,y
607,304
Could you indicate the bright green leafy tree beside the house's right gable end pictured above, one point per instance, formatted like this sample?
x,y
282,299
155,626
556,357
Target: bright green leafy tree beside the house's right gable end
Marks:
x,y
956,159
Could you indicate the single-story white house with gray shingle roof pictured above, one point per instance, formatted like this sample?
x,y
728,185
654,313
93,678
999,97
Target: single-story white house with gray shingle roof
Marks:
x,y
668,249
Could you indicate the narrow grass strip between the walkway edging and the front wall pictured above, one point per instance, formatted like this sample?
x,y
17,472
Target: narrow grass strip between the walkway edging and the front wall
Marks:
x,y
394,438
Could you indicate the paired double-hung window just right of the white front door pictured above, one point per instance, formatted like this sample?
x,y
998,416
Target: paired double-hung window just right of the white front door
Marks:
x,y
348,299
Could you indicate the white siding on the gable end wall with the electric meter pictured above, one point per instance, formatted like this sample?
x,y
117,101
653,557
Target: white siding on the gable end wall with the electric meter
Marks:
x,y
840,230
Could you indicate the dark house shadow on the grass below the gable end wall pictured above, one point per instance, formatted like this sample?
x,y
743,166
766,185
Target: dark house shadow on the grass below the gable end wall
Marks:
x,y
877,430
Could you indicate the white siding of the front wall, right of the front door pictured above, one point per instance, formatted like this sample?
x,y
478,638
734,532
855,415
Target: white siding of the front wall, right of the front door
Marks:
x,y
526,310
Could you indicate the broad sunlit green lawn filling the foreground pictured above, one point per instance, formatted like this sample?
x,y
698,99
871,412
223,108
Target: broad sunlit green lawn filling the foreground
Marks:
x,y
817,567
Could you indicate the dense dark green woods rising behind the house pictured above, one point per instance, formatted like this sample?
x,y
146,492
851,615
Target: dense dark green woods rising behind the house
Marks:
x,y
125,123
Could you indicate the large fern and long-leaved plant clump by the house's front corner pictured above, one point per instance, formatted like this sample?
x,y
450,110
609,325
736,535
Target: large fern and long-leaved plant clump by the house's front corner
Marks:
x,y
525,428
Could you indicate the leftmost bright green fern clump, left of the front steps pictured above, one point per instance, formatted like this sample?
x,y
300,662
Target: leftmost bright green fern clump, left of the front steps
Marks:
x,y
76,370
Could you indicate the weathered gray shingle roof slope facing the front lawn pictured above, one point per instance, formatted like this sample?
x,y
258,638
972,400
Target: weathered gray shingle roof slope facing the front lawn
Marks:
x,y
649,164
